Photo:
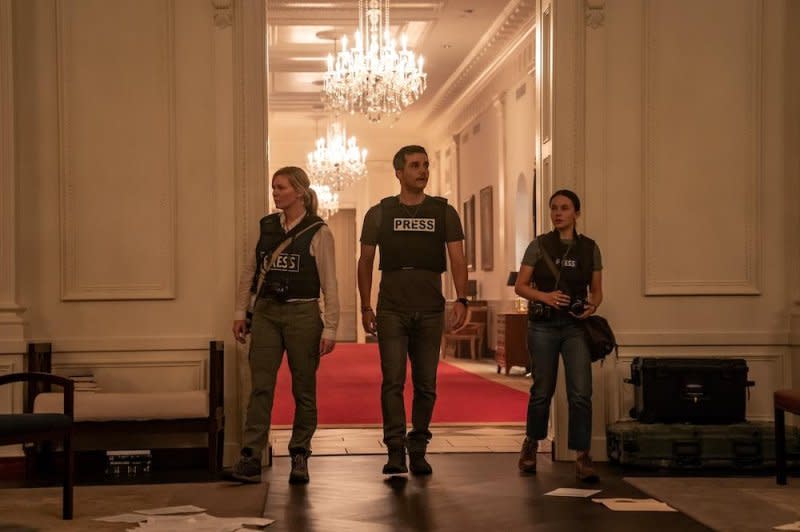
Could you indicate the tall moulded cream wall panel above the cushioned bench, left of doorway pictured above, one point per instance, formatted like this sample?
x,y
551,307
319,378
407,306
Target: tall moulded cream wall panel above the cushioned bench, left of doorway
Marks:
x,y
117,162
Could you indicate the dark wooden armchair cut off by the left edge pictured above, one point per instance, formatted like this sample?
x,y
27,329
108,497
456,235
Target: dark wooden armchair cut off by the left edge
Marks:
x,y
27,428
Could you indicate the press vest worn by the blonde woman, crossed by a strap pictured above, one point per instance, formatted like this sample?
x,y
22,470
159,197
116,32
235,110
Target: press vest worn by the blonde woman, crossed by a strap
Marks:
x,y
295,266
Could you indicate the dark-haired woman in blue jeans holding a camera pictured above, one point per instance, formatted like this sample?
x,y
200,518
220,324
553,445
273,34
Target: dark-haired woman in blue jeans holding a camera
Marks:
x,y
560,291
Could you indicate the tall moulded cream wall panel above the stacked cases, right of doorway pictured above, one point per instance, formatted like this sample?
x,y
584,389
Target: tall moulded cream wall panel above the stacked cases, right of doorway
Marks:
x,y
703,147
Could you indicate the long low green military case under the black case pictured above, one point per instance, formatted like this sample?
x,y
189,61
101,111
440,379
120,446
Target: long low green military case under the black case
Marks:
x,y
744,446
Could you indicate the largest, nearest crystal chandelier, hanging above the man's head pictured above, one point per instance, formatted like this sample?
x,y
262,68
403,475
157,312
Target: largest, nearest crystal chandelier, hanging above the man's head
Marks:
x,y
373,77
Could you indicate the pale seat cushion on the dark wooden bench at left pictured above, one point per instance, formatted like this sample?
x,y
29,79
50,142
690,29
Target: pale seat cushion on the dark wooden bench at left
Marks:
x,y
102,406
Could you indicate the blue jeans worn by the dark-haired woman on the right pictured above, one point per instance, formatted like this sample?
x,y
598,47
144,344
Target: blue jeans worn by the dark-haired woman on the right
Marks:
x,y
546,339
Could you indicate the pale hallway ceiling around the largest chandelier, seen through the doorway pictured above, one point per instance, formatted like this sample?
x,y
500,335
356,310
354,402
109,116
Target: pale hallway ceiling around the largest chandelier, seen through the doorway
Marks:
x,y
458,38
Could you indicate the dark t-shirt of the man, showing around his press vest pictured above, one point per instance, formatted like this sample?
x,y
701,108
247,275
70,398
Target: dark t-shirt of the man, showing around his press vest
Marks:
x,y
410,290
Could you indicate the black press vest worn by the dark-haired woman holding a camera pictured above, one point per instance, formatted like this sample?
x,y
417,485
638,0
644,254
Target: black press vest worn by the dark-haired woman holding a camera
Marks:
x,y
576,264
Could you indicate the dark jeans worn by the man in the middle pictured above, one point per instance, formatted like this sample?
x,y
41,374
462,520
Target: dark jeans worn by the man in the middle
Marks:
x,y
414,336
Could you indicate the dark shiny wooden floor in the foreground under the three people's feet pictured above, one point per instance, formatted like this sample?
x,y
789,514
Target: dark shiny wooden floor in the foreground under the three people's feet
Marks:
x,y
467,492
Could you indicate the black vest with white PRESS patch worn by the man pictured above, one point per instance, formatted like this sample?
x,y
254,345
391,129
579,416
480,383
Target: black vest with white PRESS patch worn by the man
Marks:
x,y
412,237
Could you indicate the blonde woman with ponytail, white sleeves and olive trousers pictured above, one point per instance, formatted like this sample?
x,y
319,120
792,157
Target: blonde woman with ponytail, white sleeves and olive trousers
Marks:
x,y
296,250
